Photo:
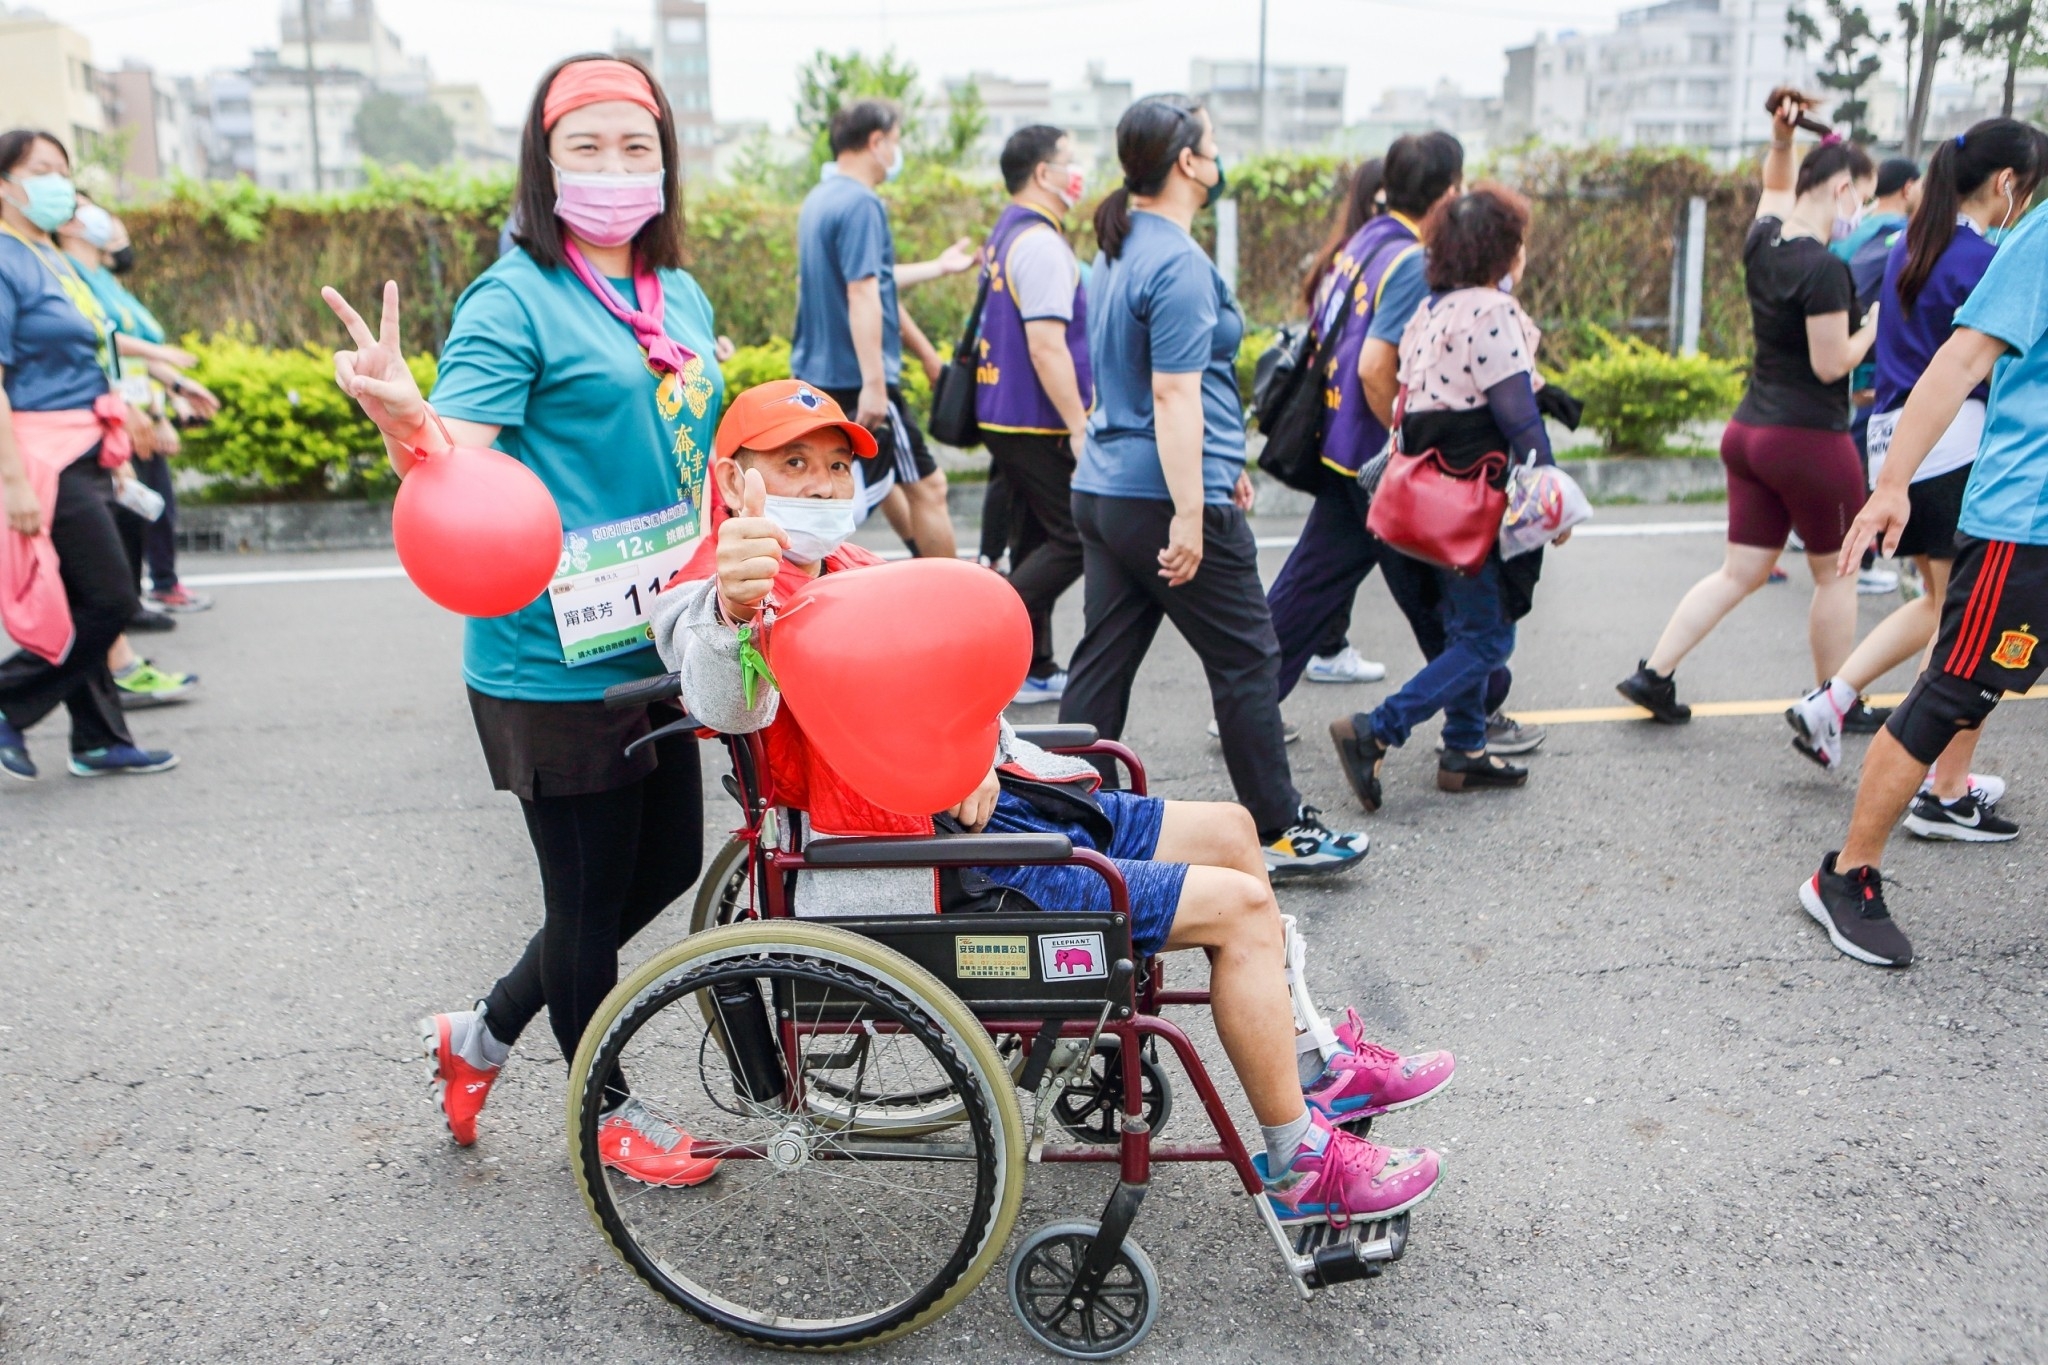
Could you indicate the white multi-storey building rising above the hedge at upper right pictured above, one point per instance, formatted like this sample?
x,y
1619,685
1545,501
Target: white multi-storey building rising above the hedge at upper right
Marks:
x,y
1674,75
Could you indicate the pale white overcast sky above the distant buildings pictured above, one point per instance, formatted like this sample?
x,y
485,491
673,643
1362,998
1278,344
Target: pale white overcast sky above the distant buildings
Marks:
x,y
759,44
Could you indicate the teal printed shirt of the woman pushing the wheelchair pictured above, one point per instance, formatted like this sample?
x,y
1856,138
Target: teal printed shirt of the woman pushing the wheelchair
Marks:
x,y
534,353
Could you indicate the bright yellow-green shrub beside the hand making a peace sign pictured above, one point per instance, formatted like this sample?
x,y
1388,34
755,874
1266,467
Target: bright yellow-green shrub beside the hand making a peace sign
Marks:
x,y
286,429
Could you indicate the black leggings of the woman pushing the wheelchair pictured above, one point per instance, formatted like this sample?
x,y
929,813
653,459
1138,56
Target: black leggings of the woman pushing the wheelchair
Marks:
x,y
609,865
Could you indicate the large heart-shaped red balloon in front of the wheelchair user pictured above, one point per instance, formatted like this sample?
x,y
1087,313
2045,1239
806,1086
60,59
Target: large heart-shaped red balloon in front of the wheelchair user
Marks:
x,y
900,674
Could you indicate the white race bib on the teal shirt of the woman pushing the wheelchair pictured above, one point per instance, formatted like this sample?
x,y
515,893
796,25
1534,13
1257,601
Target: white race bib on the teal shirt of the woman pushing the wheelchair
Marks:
x,y
609,578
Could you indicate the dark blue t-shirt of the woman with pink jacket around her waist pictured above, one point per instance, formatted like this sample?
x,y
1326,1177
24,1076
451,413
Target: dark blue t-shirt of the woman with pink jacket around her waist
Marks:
x,y
50,349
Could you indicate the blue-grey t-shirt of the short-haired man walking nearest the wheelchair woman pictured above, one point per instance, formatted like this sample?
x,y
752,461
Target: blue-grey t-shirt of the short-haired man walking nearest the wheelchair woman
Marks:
x,y
843,236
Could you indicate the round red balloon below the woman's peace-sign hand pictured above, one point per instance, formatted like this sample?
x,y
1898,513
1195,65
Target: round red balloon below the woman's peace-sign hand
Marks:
x,y
476,531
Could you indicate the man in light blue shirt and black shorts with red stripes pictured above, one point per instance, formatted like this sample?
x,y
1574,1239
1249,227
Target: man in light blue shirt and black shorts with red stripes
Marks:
x,y
1998,592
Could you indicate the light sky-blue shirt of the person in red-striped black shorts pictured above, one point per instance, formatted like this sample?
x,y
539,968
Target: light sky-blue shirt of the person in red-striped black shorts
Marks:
x,y
2008,496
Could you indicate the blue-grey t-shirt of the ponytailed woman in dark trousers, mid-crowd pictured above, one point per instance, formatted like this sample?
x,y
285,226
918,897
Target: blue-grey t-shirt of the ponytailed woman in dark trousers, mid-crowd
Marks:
x,y
1162,306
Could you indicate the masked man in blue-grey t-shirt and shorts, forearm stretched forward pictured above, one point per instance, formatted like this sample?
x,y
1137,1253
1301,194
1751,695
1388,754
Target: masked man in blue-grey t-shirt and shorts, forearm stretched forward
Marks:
x,y
853,331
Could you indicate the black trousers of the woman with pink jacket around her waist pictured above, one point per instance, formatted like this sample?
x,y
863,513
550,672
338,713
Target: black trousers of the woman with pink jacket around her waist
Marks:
x,y
103,601
